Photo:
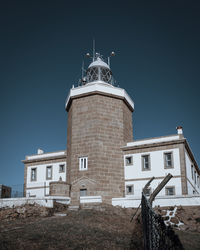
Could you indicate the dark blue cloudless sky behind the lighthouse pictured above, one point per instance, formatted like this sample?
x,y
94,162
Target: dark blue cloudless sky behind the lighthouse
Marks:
x,y
42,44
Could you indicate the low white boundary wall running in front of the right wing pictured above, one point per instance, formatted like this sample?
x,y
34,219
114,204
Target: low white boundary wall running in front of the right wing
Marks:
x,y
162,201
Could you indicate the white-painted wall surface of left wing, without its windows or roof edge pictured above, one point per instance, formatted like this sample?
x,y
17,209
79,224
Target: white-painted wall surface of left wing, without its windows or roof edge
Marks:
x,y
41,180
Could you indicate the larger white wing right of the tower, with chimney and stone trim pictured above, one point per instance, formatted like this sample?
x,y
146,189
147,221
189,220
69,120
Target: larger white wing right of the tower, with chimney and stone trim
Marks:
x,y
157,157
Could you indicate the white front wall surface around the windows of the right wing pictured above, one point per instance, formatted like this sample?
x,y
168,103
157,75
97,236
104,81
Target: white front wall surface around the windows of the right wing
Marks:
x,y
134,171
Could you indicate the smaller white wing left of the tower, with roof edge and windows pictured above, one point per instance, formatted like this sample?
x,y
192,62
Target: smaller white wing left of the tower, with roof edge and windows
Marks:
x,y
41,169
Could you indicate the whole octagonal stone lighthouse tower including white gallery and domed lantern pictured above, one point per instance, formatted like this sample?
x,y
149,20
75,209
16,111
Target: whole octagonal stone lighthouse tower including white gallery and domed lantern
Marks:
x,y
99,124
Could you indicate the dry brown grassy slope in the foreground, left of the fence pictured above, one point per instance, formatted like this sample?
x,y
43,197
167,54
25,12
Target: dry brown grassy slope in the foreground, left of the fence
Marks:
x,y
82,229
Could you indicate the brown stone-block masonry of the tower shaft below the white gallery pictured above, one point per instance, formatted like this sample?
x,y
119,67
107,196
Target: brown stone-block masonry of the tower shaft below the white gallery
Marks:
x,y
97,127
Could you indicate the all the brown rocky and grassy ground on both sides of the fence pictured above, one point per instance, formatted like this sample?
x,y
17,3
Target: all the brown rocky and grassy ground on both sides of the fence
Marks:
x,y
106,227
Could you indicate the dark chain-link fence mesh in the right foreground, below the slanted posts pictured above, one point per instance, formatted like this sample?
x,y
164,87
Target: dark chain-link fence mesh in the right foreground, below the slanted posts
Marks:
x,y
157,235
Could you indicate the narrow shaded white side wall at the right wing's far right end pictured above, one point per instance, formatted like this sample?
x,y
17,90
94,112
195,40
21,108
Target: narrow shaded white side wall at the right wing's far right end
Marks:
x,y
189,176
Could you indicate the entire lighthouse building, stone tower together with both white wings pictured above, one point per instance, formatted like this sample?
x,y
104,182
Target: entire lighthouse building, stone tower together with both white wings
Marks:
x,y
102,161
